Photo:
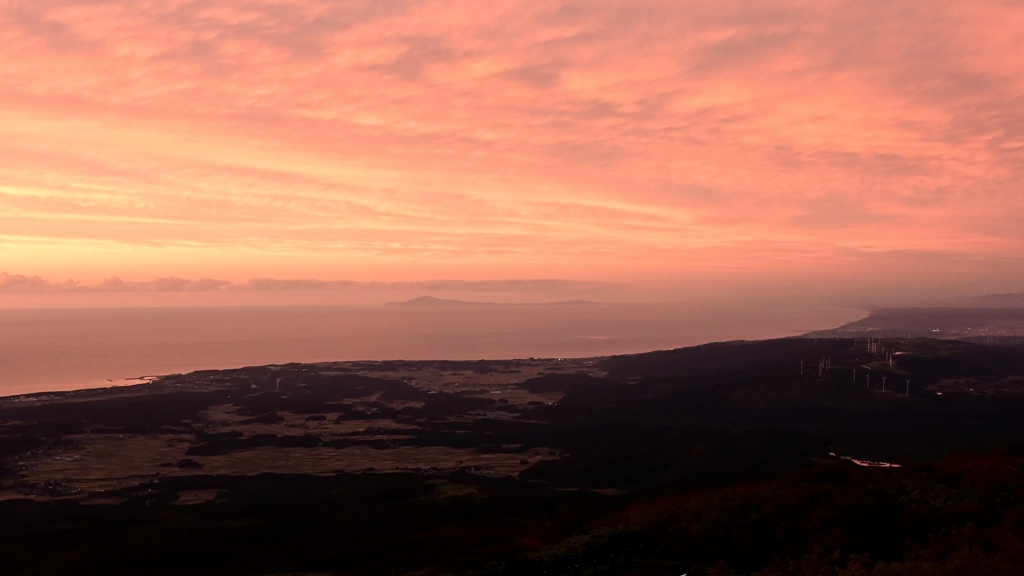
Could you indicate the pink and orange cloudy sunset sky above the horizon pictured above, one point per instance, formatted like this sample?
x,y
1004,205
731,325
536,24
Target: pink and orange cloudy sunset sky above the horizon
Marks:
x,y
170,150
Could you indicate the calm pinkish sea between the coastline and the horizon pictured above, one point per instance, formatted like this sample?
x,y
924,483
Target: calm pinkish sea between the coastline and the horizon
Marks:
x,y
51,350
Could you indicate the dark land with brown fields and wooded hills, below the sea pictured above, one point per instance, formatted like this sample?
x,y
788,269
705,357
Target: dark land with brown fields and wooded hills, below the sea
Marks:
x,y
728,459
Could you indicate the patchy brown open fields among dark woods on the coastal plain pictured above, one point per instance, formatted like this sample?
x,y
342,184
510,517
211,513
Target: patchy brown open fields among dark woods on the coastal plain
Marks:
x,y
361,430
